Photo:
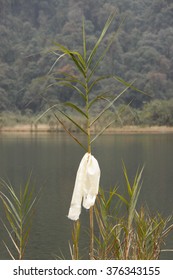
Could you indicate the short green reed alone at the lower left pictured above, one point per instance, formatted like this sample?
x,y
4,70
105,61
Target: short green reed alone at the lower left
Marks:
x,y
19,210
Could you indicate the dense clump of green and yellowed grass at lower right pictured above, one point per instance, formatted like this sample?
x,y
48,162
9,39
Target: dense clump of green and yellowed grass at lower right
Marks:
x,y
127,231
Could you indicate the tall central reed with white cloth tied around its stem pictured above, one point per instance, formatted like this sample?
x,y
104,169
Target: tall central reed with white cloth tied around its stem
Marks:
x,y
84,84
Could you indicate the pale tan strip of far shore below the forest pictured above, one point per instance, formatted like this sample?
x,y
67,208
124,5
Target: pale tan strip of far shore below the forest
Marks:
x,y
113,130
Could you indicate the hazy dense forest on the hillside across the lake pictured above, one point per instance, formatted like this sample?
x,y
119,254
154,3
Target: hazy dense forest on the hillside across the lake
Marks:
x,y
143,50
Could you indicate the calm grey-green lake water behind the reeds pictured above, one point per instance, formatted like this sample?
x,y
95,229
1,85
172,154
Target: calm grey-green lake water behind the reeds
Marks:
x,y
53,160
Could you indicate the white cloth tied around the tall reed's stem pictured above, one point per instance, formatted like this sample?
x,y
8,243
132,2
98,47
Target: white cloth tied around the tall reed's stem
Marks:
x,y
86,186
